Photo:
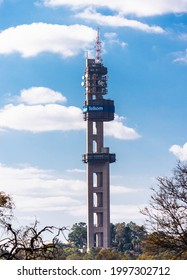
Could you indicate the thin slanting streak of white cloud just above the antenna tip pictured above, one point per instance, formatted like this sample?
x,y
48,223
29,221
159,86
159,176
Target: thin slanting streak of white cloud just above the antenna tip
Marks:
x,y
118,21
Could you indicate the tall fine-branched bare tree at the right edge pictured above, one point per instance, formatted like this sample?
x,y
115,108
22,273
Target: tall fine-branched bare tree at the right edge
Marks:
x,y
167,214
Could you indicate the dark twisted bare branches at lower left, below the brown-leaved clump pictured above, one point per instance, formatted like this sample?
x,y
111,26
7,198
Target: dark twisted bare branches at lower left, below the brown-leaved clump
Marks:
x,y
27,243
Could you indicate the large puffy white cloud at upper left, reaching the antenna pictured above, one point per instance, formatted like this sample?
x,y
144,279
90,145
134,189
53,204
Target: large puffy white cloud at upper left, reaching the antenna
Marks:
x,y
42,37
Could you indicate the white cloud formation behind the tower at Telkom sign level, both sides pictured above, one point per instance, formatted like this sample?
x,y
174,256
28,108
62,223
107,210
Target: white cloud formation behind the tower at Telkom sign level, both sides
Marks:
x,y
36,113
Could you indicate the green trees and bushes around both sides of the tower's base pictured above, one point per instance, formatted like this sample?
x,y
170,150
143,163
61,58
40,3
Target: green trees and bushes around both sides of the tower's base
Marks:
x,y
126,241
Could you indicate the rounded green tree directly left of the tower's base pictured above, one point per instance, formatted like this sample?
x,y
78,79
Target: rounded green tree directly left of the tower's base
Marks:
x,y
78,235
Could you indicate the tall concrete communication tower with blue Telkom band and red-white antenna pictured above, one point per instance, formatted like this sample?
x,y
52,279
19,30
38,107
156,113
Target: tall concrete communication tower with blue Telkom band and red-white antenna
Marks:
x,y
96,111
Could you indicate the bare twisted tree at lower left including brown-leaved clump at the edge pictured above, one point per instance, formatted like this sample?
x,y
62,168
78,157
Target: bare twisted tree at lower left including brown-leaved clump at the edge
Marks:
x,y
26,243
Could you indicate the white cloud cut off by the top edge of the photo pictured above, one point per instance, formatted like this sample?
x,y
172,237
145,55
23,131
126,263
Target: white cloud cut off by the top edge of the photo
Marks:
x,y
126,7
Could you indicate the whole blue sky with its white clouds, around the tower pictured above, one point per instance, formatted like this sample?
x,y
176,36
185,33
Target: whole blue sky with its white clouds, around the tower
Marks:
x,y
42,133
